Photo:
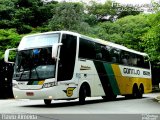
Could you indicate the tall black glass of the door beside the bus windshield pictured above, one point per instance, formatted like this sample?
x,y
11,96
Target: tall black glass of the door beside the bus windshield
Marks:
x,y
67,58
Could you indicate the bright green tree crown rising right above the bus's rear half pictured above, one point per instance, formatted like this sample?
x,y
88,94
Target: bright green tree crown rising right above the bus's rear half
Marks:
x,y
127,31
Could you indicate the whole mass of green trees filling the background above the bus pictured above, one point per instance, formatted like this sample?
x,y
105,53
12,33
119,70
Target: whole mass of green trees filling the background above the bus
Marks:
x,y
137,31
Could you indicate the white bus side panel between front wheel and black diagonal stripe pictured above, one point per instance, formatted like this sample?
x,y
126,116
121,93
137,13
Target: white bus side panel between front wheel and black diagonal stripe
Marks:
x,y
86,72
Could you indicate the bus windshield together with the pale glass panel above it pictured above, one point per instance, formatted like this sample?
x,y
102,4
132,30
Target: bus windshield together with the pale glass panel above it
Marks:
x,y
34,58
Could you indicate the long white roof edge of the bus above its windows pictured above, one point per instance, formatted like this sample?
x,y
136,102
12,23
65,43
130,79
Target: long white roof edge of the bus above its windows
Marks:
x,y
94,39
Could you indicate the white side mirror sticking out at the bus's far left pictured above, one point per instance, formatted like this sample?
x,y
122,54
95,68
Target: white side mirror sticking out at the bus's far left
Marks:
x,y
7,55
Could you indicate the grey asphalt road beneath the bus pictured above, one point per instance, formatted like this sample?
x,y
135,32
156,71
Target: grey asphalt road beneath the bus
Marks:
x,y
95,108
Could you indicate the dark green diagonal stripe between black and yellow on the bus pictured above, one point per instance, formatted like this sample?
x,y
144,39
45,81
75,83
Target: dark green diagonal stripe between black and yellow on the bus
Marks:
x,y
112,78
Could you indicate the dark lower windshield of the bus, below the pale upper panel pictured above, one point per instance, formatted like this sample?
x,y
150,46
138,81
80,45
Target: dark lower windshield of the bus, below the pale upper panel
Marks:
x,y
34,64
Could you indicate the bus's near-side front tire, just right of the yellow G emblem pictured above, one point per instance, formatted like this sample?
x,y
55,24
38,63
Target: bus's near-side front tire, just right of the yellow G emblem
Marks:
x,y
82,95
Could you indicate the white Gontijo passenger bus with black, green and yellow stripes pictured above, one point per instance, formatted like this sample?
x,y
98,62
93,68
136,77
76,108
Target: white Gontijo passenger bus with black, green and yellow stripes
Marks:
x,y
64,65
